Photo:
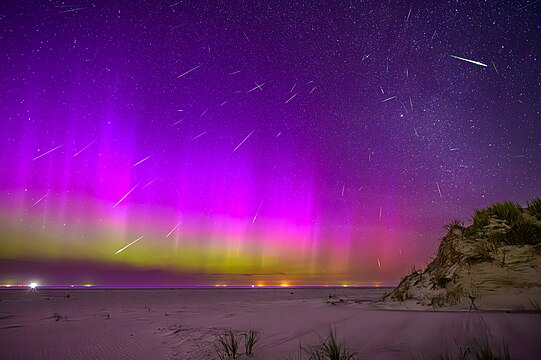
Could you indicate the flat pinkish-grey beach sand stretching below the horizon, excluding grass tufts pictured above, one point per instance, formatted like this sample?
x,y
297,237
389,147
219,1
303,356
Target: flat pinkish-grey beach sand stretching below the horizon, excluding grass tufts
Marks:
x,y
184,324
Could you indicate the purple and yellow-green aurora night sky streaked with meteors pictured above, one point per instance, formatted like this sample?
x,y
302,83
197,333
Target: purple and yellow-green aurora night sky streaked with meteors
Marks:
x,y
257,142
